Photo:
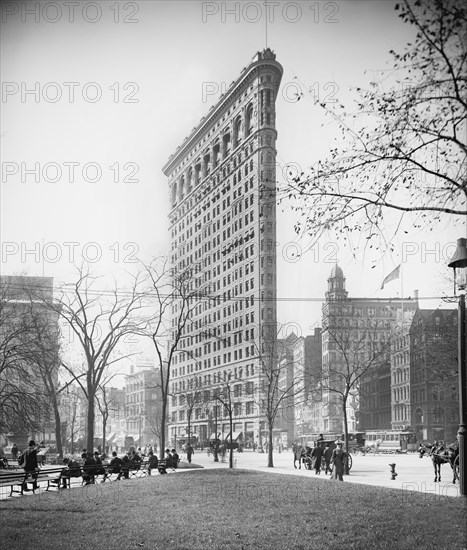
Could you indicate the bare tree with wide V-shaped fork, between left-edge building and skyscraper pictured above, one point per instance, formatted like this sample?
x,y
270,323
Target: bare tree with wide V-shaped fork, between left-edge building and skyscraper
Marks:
x,y
100,320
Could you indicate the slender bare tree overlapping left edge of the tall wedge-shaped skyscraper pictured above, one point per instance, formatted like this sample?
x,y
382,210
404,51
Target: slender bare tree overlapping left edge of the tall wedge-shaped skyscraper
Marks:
x,y
174,301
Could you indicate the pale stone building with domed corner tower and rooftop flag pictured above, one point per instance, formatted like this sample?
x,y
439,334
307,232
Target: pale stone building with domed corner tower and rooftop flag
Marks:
x,y
357,336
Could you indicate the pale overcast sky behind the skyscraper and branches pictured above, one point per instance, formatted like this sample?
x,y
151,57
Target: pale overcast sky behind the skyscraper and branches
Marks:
x,y
117,88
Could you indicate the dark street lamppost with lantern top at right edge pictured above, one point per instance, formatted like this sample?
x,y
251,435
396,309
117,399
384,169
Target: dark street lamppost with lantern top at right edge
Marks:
x,y
459,264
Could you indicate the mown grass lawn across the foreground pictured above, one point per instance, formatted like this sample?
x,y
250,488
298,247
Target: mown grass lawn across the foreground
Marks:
x,y
227,509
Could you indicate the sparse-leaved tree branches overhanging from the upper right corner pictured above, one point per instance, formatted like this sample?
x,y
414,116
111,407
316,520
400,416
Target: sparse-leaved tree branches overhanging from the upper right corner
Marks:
x,y
404,150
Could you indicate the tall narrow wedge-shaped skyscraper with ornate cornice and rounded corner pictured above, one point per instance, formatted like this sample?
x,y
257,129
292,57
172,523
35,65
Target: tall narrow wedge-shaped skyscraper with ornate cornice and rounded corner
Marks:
x,y
223,227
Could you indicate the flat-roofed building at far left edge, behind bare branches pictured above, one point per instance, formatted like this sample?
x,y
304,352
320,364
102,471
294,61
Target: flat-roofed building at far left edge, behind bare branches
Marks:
x,y
28,360
